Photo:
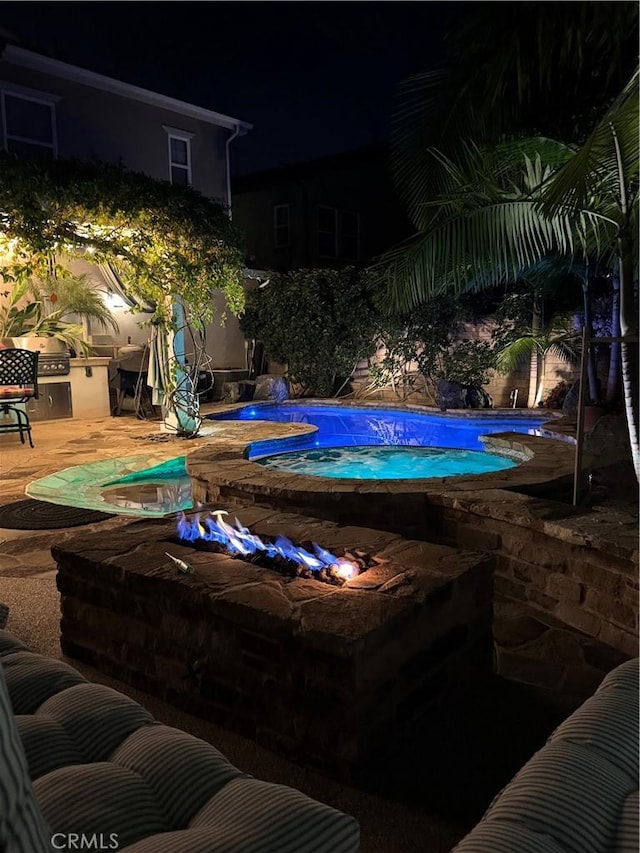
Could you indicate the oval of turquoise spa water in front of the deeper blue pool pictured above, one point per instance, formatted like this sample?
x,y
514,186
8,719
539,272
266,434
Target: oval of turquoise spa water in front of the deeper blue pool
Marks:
x,y
386,463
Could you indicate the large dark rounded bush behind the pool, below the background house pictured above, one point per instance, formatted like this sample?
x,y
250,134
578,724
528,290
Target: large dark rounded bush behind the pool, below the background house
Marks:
x,y
320,323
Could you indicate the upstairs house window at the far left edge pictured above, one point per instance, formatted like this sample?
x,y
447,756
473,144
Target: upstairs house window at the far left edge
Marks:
x,y
29,125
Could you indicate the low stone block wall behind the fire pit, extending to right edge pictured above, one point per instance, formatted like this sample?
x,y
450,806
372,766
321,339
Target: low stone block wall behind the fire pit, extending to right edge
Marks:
x,y
589,585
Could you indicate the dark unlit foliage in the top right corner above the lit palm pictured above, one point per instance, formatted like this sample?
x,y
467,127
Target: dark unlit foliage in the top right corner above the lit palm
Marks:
x,y
517,70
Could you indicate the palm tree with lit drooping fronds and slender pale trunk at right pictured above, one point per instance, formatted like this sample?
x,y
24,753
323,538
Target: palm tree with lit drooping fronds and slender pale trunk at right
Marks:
x,y
498,220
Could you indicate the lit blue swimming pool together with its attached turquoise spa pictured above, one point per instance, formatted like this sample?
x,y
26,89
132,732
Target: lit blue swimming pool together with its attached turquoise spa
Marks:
x,y
343,445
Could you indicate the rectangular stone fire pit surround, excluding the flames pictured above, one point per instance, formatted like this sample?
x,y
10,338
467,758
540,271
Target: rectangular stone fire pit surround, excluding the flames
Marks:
x,y
313,671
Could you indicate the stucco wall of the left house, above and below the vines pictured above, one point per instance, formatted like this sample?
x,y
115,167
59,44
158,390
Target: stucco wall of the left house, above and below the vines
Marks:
x,y
92,123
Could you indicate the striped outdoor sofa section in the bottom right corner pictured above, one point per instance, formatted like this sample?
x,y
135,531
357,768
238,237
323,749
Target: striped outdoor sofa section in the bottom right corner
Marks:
x,y
579,793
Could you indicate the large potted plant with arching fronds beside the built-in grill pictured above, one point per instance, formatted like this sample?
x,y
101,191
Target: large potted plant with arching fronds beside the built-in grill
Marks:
x,y
37,313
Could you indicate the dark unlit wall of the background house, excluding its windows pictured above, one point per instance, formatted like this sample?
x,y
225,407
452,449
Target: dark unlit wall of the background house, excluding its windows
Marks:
x,y
357,182
